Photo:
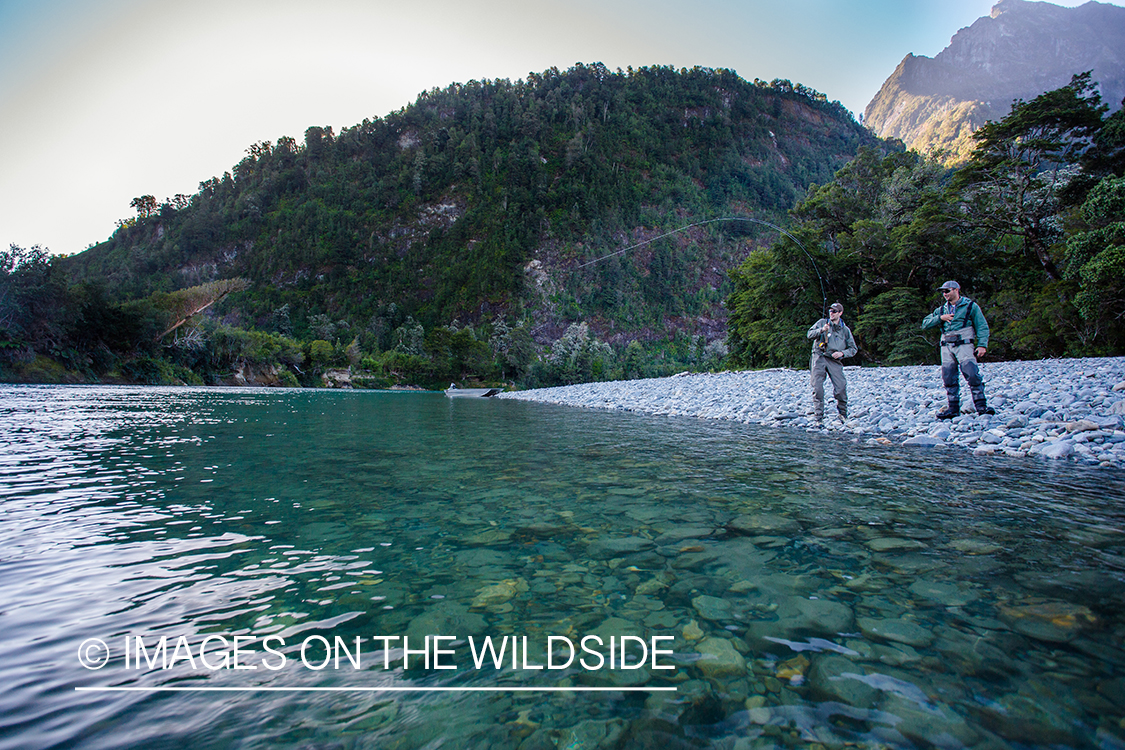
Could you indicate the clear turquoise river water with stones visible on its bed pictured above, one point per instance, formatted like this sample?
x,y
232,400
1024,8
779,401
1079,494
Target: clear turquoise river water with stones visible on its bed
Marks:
x,y
812,592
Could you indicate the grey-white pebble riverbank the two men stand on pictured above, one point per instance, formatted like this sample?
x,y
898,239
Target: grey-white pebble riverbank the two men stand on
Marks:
x,y
1057,410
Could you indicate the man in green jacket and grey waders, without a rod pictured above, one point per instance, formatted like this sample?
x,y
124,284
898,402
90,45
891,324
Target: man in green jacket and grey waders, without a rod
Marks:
x,y
961,321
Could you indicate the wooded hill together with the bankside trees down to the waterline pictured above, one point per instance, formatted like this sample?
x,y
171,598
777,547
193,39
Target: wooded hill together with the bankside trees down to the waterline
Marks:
x,y
476,234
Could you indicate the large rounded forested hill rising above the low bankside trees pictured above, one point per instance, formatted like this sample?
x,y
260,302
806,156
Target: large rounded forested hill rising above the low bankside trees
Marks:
x,y
440,207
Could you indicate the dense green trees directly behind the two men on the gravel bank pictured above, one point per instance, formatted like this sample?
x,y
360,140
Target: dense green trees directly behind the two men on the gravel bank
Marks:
x,y
1033,228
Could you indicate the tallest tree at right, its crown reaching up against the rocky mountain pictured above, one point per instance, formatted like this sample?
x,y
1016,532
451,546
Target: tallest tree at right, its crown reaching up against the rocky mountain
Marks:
x,y
1014,179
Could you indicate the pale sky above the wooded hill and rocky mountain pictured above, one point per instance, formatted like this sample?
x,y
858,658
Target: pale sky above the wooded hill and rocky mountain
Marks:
x,y
105,101
